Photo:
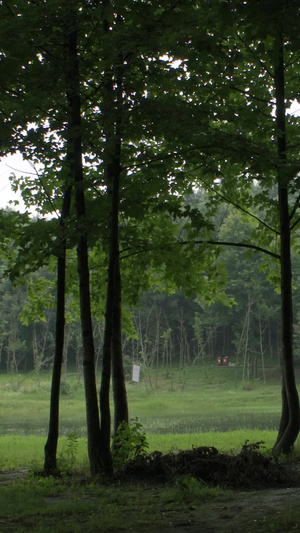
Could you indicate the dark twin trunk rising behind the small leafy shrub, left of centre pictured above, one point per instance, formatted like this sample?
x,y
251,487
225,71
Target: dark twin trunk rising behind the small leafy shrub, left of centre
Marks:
x,y
112,349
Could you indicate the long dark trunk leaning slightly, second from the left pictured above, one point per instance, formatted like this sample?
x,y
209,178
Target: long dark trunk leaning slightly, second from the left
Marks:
x,y
74,138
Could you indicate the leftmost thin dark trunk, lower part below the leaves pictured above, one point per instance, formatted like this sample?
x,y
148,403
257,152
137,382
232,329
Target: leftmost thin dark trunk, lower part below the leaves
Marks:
x,y
50,463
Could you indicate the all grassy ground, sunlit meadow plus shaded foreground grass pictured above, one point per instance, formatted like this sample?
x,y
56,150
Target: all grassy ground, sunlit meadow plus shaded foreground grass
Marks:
x,y
202,406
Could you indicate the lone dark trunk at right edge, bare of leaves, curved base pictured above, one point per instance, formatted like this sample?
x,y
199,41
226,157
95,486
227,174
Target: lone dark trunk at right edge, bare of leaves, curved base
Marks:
x,y
289,424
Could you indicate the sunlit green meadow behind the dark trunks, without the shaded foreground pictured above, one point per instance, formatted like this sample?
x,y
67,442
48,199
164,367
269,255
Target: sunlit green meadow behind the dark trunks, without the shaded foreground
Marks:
x,y
200,406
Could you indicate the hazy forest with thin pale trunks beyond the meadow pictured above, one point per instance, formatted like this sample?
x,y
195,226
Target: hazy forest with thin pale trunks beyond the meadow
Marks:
x,y
163,329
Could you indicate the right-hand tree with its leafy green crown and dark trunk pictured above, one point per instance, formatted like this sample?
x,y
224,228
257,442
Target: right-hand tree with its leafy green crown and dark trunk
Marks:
x,y
245,80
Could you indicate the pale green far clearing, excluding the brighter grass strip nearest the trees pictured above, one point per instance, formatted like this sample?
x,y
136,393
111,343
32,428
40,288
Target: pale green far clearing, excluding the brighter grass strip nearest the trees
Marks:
x,y
206,399
